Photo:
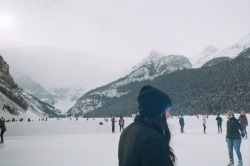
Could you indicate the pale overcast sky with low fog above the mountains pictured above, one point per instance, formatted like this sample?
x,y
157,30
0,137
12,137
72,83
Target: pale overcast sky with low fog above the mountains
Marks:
x,y
111,36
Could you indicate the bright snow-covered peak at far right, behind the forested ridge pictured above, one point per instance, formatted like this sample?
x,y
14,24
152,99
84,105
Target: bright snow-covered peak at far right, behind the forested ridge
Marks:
x,y
212,52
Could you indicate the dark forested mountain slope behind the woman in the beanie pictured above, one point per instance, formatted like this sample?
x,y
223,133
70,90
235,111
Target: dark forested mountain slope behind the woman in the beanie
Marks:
x,y
207,90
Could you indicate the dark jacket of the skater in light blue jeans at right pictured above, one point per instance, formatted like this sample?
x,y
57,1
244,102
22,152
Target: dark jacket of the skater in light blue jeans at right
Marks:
x,y
233,127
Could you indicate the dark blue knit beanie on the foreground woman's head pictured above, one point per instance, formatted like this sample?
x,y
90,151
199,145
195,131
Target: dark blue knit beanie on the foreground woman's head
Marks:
x,y
152,101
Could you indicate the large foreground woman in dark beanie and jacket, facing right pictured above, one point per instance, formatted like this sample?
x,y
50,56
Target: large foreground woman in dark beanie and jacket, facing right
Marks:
x,y
145,142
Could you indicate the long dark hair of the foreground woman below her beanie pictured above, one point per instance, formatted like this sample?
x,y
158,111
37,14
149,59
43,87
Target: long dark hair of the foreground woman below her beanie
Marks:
x,y
159,124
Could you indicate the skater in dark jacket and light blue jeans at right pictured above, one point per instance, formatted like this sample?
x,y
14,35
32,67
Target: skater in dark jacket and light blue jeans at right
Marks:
x,y
233,137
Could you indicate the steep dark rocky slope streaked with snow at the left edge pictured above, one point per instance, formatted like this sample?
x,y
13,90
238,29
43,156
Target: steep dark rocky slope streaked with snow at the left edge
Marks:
x,y
17,102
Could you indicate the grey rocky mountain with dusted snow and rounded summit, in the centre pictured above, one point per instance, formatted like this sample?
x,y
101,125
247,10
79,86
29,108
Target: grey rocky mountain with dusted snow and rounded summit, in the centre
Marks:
x,y
151,67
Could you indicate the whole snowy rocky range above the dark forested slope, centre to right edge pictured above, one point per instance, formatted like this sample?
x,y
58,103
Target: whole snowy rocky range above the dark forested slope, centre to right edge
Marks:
x,y
155,65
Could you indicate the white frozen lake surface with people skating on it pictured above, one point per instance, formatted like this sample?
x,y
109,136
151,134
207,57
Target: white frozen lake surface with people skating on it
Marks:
x,y
86,143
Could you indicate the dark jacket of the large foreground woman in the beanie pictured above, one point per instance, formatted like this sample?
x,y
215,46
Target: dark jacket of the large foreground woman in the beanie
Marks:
x,y
140,145
